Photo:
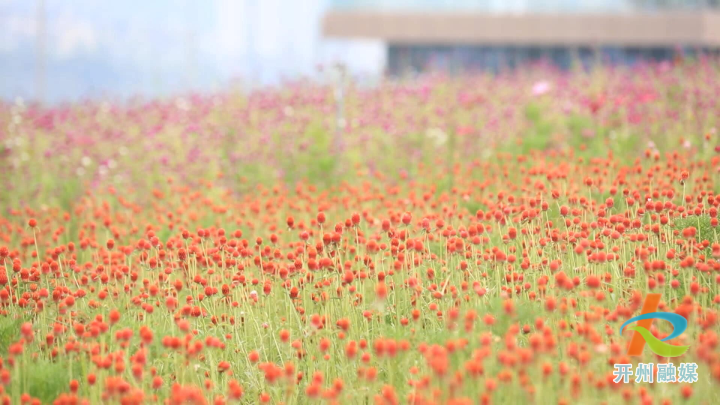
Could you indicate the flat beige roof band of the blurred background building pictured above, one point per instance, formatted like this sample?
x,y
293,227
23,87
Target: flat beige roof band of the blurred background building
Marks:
x,y
700,28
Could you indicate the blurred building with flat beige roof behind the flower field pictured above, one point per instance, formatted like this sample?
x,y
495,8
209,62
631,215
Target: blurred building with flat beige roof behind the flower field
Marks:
x,y
466,35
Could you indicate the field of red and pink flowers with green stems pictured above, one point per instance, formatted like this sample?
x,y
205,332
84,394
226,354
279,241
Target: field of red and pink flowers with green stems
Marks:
x,y
438,241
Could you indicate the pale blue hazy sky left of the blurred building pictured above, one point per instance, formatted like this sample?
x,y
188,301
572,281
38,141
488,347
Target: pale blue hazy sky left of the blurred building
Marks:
x,y
158,47
